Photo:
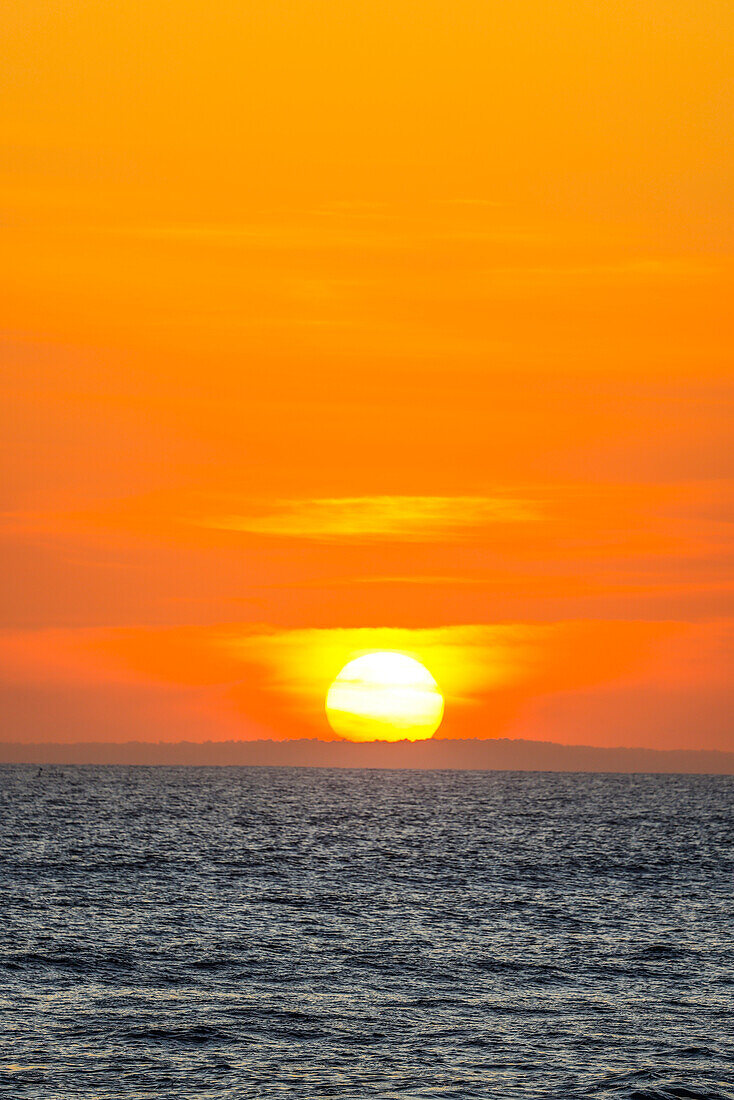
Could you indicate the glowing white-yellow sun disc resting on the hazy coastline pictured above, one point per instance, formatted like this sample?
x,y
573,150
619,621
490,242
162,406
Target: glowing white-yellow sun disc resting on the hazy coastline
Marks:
x,y
385,697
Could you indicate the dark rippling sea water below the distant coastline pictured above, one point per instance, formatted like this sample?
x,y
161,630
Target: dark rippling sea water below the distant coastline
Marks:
x,y
235,933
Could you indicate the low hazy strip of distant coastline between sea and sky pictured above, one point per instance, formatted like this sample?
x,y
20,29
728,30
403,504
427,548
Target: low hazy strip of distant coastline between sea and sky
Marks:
x,y
494,755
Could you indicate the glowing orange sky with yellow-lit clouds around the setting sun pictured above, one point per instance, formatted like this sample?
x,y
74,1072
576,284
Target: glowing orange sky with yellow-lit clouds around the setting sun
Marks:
x,y
335,326
